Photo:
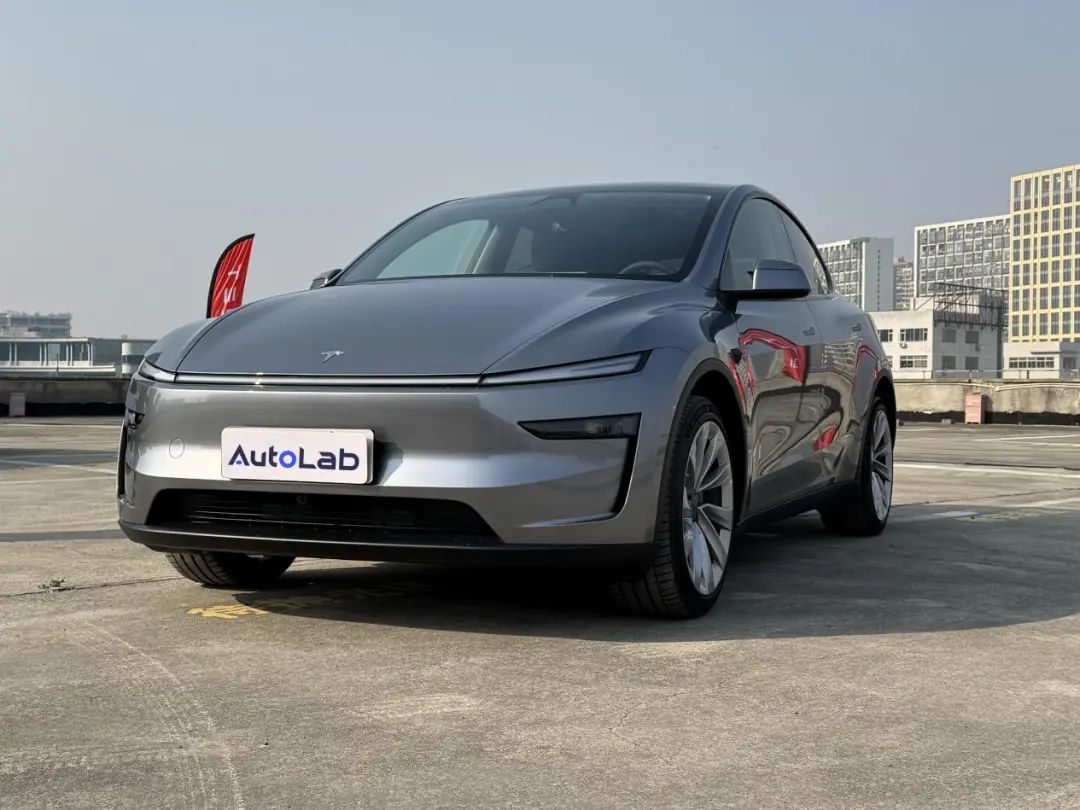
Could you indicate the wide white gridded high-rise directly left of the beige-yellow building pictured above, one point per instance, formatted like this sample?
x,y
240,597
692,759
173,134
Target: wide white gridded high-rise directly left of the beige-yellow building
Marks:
x,y
973,252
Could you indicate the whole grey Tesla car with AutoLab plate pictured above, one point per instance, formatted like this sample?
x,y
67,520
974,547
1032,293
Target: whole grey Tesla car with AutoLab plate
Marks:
x,y
625,376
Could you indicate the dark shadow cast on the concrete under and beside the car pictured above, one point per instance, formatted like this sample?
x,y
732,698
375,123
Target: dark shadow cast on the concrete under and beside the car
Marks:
x,y
925,574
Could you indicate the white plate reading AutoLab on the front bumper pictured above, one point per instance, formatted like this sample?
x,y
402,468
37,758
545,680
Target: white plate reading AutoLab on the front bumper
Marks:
x,y
298,454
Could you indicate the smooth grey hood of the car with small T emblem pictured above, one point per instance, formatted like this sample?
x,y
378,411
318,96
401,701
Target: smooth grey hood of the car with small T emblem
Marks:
x,y
458,326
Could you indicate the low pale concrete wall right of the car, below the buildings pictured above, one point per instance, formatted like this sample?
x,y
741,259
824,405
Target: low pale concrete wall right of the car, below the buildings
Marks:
x,y
1006,401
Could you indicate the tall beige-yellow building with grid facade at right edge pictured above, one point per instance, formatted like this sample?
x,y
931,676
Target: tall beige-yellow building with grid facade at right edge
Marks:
x,y
1044,281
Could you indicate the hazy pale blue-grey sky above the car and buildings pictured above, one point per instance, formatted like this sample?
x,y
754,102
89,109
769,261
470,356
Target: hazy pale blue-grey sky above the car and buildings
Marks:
x,y
138,140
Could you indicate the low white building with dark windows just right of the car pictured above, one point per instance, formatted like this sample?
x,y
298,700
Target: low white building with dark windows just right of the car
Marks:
x,y
930,342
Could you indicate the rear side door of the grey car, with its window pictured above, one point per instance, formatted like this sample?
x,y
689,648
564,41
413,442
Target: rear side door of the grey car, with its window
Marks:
x,y
827,408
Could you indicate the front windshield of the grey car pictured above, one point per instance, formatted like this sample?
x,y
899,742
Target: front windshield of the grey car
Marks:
x,y
633,235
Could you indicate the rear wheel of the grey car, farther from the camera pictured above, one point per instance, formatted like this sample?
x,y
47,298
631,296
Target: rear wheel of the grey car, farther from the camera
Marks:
x,y
866,511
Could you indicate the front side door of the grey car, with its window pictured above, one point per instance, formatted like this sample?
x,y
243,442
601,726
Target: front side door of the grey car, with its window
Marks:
x,y
772,362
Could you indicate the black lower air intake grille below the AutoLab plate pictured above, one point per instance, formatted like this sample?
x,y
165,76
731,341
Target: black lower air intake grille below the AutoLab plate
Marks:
x,y
341,518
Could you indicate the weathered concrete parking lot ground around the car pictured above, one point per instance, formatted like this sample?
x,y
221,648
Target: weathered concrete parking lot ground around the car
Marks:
x,y
937,666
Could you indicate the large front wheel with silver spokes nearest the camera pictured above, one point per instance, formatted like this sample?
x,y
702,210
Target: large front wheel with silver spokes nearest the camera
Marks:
x,y
682,584
